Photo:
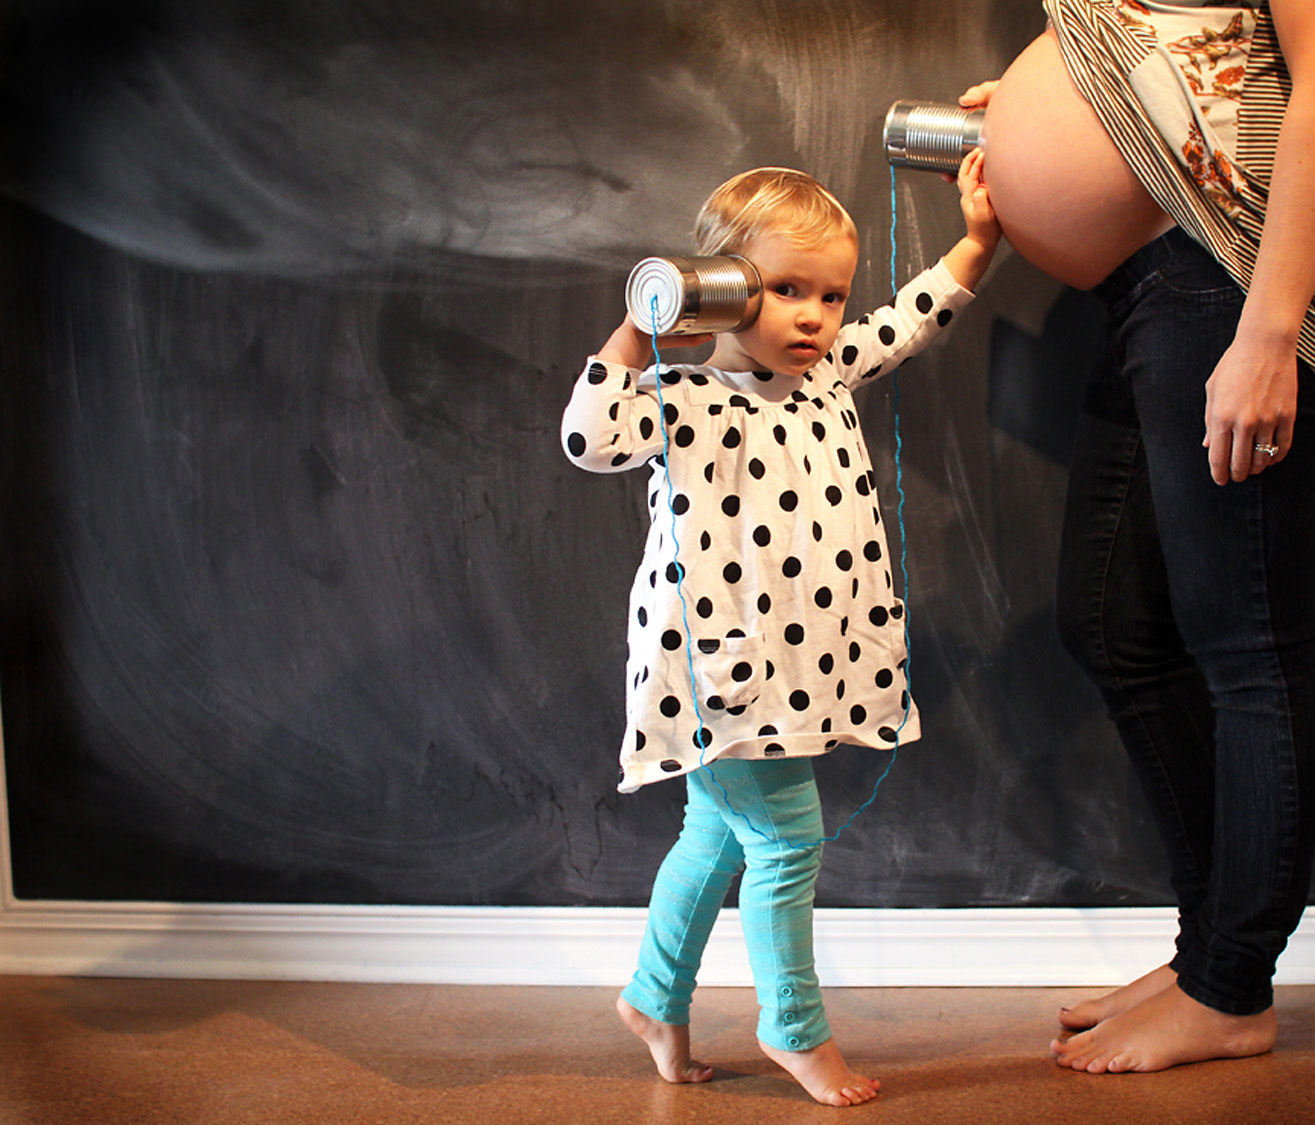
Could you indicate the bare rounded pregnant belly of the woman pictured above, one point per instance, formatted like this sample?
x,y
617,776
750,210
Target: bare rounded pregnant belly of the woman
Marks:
x,y
1066,198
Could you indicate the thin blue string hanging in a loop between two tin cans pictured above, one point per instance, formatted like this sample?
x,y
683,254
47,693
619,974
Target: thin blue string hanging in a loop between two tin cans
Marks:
x,y
904,568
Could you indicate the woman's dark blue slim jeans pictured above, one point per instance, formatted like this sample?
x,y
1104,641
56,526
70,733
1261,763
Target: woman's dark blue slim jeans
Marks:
x,y
1192,607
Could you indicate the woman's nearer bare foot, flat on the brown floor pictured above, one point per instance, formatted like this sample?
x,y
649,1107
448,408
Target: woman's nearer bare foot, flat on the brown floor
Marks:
x,y
1166,1030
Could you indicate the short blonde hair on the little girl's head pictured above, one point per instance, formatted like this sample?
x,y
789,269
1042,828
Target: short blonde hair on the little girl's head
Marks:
x,y
779,200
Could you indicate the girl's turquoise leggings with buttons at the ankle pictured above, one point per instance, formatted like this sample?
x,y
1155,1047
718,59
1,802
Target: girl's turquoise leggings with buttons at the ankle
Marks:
x,y
777,898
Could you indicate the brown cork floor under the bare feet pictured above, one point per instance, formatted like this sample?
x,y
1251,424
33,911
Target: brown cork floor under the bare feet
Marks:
x,y
197,1052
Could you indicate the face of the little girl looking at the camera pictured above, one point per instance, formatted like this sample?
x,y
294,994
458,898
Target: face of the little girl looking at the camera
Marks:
x,y
804,295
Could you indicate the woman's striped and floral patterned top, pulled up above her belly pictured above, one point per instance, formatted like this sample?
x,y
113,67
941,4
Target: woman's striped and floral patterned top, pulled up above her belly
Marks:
x,y
1193,95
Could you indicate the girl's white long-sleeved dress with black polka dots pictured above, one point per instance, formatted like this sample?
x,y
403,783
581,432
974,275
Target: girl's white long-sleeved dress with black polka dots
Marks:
x,y
795,634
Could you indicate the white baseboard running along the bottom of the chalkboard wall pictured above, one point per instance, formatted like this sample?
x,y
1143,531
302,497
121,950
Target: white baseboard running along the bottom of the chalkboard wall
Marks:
x,y
587,946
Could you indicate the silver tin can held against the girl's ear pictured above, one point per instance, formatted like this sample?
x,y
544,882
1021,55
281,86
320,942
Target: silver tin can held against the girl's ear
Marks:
x,y
695,295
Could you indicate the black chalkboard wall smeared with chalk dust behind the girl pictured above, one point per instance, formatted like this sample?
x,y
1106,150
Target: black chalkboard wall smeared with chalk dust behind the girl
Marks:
x,y
300,600
